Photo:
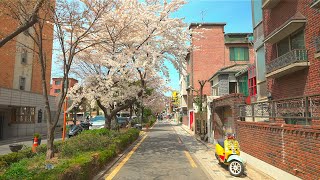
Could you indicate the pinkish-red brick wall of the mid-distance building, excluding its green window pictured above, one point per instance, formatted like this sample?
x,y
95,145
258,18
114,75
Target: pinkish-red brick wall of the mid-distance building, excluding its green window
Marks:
x,y
210,55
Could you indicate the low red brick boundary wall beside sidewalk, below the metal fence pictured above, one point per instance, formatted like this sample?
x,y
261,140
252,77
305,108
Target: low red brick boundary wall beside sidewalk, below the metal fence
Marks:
x,y
294,149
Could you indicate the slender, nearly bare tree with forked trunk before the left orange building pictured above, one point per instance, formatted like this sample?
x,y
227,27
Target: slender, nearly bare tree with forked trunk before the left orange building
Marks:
x,y
72,22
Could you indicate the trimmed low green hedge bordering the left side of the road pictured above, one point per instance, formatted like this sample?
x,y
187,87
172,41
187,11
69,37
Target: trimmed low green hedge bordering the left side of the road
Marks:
x,y
84,163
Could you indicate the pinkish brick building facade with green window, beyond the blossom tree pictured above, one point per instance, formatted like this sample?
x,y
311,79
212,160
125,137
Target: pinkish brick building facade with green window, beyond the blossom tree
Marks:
x,y
212,49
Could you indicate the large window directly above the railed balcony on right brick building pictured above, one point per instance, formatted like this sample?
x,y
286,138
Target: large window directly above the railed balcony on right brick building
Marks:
x,y
294,41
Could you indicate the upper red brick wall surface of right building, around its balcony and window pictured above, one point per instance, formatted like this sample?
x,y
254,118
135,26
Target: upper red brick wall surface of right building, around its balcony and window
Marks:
x,y
304,82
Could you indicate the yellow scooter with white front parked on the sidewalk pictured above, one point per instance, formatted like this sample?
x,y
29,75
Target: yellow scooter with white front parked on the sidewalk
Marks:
x,y
228,153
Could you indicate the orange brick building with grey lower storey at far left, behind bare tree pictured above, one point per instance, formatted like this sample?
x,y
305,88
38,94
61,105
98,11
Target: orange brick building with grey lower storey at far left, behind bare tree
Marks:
x,y
21,100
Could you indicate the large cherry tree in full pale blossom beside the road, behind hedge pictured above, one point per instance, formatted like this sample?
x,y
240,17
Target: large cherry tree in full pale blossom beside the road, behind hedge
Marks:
x,y
136,39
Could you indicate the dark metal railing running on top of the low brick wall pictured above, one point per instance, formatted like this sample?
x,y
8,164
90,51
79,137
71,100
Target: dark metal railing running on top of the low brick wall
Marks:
x,y
299,110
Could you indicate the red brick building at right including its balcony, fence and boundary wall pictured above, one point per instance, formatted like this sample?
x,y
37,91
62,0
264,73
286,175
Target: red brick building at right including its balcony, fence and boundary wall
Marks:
x,y
285,144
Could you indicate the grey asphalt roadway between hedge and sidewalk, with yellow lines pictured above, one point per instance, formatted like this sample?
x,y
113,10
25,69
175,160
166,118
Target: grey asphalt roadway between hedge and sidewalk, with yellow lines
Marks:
x,y
161,155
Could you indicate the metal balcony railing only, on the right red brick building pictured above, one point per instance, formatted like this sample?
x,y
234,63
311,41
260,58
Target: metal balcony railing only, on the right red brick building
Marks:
x,y
294,56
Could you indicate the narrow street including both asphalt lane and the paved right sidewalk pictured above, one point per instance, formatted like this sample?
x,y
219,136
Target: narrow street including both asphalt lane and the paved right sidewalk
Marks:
x,y
169,152
